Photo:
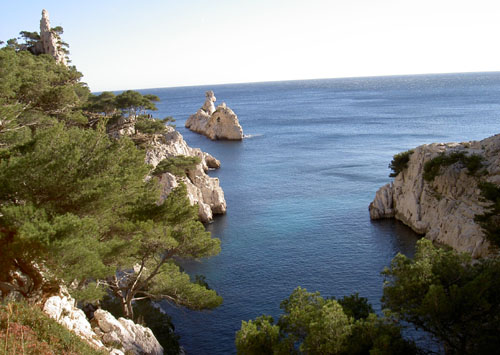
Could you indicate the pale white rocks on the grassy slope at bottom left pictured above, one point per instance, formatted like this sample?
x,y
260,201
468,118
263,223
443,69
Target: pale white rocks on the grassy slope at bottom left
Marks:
x,y
107,331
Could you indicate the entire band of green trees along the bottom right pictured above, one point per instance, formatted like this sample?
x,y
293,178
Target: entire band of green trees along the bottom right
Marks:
x,y
454,299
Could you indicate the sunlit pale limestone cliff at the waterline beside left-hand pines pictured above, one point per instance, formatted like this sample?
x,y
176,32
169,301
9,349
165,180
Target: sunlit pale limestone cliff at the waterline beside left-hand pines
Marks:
x,y
202,189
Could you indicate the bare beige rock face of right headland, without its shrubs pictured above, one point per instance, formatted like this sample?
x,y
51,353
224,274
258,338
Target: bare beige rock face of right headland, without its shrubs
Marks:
x,y
443,209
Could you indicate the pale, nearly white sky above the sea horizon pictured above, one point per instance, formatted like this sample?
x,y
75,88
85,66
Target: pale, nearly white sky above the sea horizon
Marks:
x,y
148,44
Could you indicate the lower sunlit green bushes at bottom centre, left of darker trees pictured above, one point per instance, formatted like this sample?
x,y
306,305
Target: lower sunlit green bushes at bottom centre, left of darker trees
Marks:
x,y
311,324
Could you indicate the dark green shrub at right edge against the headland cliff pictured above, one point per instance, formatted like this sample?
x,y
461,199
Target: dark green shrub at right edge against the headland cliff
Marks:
x,y
490,220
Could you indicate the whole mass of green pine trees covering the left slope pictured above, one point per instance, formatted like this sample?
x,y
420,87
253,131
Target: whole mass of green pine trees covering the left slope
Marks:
x,y
75,205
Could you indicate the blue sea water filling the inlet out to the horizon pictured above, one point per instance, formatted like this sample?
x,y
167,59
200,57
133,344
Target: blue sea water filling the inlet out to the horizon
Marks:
x,y
298,189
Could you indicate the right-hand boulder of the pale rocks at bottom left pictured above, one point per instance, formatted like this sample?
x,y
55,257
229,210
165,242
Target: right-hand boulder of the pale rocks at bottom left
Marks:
x,y
133,337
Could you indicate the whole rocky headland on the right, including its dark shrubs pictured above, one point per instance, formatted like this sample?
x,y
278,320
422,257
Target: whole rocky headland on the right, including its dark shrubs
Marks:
x,y
447,192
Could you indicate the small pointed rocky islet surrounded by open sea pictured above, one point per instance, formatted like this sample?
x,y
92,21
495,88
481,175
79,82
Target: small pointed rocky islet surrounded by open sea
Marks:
x,y
219,123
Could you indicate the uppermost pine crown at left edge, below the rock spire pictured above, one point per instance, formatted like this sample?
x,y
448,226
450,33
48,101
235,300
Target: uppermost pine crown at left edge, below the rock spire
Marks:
x,y
35,92
